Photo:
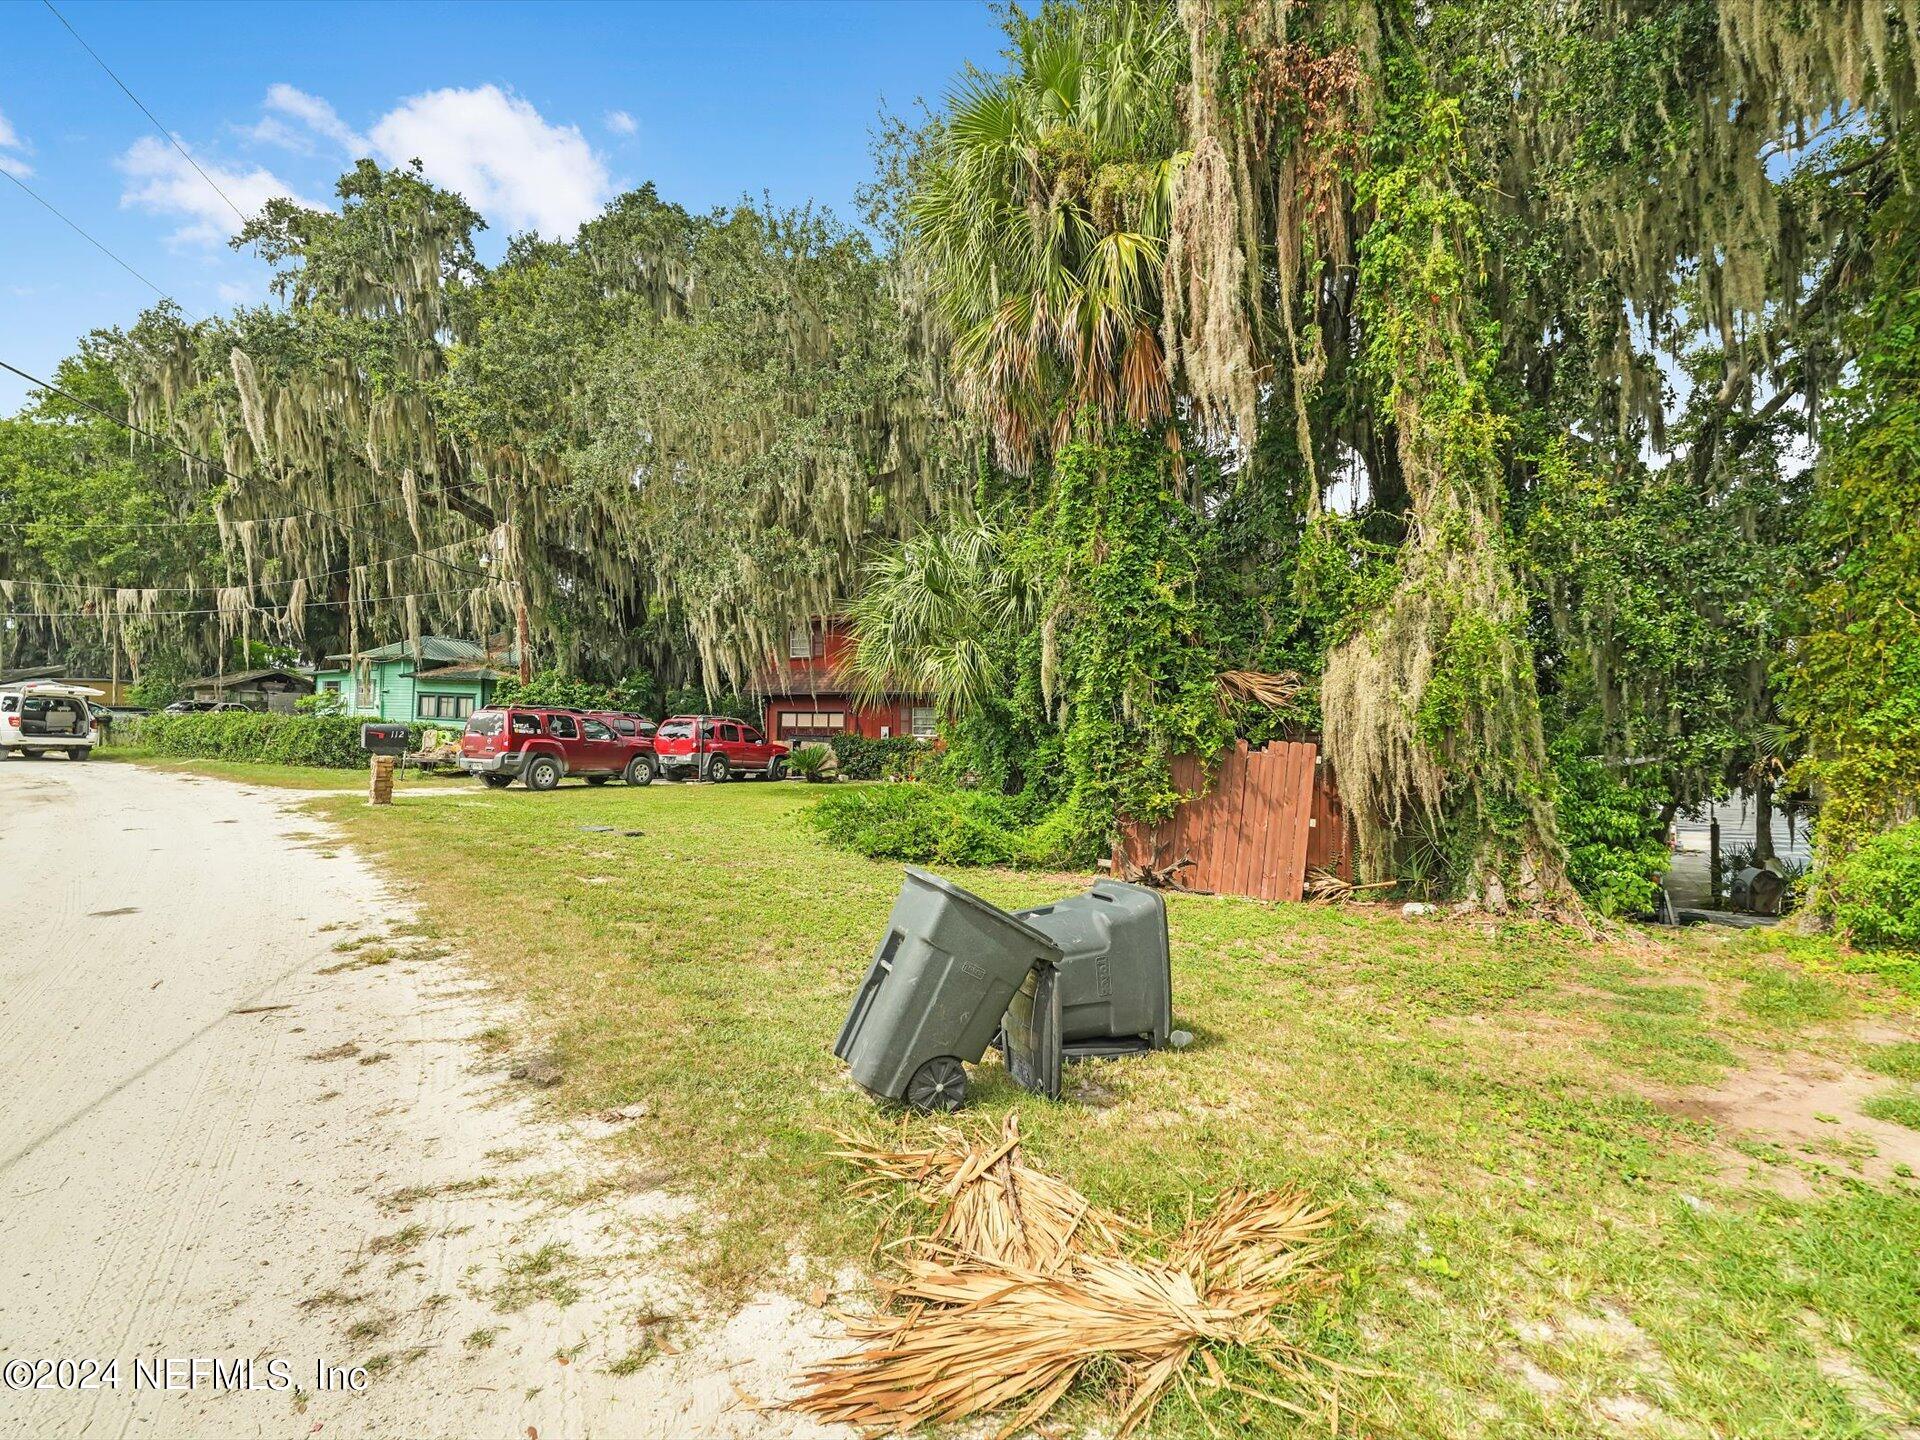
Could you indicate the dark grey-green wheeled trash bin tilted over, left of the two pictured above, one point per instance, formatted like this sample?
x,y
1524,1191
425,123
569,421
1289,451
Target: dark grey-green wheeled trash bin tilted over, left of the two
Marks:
x,y
936,992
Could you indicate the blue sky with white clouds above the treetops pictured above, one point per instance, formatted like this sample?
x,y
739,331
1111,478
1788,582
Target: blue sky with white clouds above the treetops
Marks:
x,y
535,112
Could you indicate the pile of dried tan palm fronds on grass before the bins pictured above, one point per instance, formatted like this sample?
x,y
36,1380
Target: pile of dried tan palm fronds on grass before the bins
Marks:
x,y
1024,1284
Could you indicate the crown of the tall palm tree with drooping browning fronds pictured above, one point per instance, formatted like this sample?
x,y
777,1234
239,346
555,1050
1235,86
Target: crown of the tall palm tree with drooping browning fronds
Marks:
x,y
1040,222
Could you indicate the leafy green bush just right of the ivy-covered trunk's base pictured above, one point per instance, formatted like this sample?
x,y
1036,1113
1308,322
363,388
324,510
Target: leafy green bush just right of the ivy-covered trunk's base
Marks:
x,y
1616,853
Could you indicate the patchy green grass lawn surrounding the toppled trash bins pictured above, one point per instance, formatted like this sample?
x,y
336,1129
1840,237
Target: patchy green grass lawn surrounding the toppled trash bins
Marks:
x,y
1539,1237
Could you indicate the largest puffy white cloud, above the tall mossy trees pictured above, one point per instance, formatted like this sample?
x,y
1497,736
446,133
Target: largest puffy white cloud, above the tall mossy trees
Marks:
x,y
500,155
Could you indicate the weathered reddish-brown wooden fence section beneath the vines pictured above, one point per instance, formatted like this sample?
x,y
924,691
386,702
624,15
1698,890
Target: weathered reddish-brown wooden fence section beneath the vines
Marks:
x,y
1268,819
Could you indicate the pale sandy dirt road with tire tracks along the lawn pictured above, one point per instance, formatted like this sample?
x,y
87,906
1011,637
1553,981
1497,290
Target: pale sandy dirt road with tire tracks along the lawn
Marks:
x,y
224,1138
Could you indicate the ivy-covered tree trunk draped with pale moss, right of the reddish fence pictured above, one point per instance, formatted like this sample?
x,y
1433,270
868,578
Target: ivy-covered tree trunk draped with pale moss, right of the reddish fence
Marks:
x,y
1431,709
